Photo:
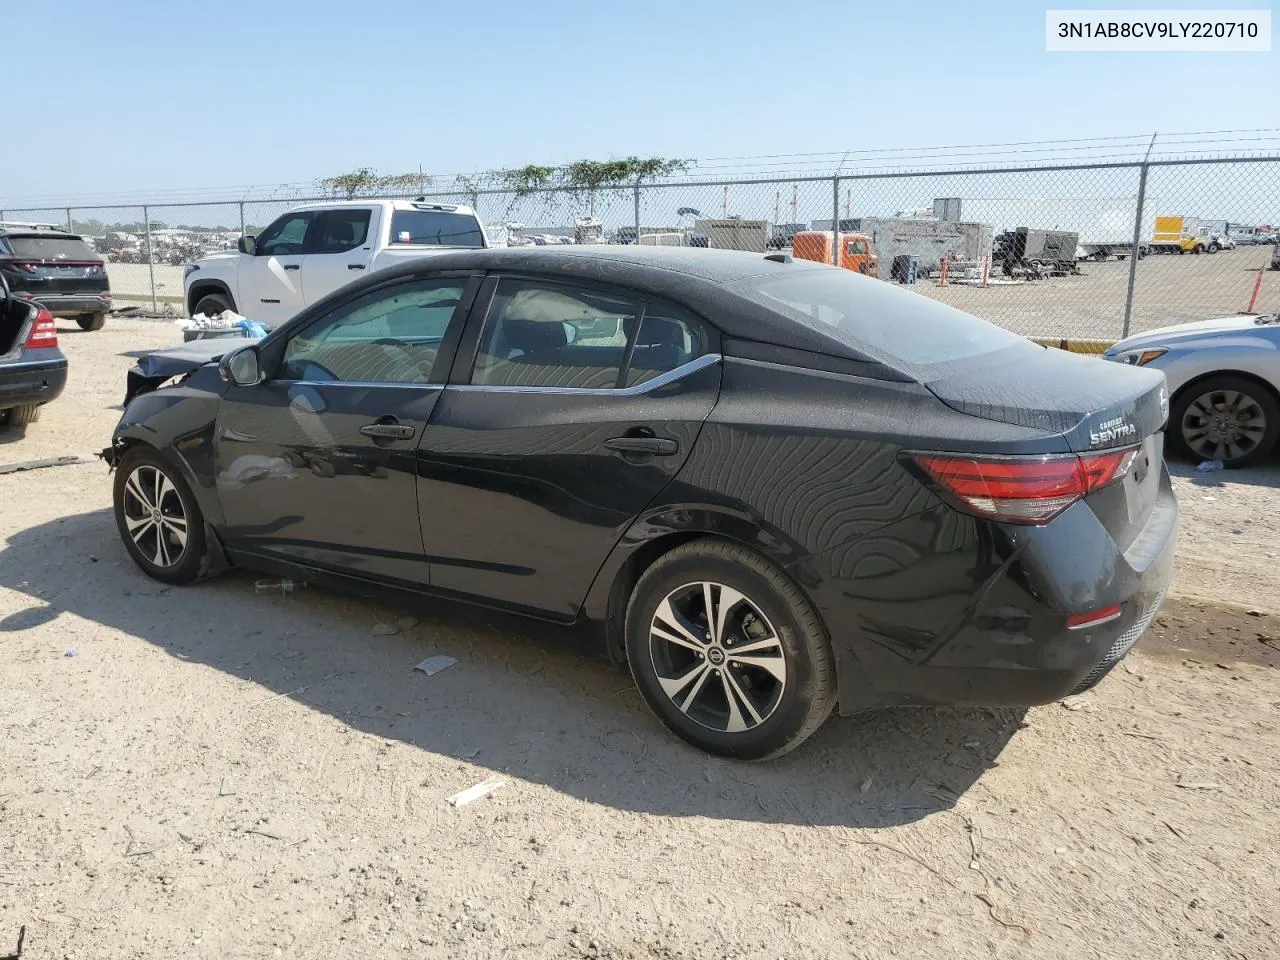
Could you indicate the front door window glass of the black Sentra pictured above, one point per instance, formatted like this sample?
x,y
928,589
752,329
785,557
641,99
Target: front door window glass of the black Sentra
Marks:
x,y
391,336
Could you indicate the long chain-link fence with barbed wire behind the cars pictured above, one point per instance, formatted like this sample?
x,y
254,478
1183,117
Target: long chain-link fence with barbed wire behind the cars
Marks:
x,y
1076,252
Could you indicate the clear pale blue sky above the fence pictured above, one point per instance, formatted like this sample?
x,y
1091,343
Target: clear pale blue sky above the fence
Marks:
x,y
172,97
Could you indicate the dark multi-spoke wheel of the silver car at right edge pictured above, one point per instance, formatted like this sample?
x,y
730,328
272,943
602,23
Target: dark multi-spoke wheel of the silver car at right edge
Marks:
x,y
1228,419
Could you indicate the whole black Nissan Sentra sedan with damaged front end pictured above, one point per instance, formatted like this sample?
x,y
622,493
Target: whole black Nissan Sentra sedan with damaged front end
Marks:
x,y
765,486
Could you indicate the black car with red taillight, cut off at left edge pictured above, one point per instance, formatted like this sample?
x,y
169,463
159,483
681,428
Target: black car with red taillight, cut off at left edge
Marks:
x,y
33,368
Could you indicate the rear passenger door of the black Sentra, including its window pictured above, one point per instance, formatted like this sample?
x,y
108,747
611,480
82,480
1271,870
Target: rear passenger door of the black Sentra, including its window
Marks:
x,y
570,409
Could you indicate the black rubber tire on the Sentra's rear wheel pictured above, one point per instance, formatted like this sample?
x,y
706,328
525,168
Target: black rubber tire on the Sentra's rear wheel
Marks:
x,y
797,705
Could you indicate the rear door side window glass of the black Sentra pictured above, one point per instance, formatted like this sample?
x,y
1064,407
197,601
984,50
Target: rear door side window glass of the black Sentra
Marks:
x,y
547,335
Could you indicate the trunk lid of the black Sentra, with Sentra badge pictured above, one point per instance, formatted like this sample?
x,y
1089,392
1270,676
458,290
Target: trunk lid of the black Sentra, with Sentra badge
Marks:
x,y
1092,404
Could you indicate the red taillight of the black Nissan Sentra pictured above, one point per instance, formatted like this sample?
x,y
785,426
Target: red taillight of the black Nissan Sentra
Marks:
x,y
1023,490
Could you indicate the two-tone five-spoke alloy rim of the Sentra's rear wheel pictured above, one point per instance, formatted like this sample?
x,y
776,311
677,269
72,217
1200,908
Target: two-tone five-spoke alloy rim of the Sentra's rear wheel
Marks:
x,y
717,657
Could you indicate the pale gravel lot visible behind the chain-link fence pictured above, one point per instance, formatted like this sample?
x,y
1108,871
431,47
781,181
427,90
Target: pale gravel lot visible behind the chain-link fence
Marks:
x,y
1169,290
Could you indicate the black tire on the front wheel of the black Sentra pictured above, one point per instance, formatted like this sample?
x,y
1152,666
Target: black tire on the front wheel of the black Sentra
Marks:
x,y
194,560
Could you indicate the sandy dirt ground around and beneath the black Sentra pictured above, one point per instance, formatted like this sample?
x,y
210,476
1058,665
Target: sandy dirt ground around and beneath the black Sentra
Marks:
x,y
208,772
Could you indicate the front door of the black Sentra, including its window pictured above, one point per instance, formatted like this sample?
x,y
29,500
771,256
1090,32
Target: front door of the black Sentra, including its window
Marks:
x,y
317,465
